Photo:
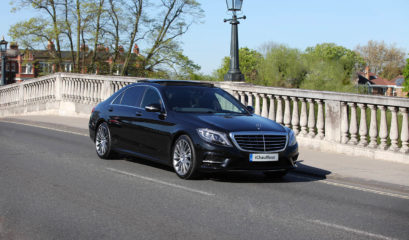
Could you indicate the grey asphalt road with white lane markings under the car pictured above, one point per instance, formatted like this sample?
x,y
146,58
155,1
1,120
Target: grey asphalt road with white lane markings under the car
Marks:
x,y
53,186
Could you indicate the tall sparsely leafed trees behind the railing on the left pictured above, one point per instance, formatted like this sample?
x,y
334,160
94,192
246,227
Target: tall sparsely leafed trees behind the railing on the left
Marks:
x,y
75,24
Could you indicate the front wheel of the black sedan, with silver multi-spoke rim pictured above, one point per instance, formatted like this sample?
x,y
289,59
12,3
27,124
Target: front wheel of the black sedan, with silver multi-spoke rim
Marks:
x,y
184,160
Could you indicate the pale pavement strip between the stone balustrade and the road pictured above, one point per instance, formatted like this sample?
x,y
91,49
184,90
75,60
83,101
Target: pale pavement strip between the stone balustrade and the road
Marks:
x,y
323,165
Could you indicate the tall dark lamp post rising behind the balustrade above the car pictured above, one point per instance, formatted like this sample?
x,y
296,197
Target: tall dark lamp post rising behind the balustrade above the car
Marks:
x,y
234,73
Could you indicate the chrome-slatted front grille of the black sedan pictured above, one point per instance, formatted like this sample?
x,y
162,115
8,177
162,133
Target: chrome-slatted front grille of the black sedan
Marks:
x,y
260,142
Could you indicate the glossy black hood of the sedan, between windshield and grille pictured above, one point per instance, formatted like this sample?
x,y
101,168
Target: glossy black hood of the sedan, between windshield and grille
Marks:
x,y
234,123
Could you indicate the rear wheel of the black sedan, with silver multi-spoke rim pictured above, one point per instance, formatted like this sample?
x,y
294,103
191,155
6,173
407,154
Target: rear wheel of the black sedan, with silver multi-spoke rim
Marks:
x,y
103,141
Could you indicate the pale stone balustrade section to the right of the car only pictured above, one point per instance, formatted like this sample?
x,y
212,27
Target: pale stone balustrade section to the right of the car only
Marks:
x,y
370,125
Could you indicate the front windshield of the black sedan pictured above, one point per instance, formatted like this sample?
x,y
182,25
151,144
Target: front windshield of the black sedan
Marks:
x,y
199,99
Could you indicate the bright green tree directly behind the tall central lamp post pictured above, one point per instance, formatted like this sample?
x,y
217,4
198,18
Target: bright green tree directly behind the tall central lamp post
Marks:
x,y
249,61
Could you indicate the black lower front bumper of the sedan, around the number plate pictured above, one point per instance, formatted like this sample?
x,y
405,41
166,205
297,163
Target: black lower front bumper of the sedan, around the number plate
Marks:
x,y
218,158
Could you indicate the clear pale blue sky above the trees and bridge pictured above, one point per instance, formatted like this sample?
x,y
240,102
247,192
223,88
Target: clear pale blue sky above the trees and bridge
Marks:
x,y
295,23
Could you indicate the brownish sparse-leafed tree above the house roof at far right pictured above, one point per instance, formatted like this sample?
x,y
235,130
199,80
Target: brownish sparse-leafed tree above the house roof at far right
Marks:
x,y
385,60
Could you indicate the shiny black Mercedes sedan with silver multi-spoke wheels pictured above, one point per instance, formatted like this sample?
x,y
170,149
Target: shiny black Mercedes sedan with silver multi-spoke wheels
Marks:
x,y
193,127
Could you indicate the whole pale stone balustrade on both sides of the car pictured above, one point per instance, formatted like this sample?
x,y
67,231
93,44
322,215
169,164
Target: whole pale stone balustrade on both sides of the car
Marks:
x,y
361,125
